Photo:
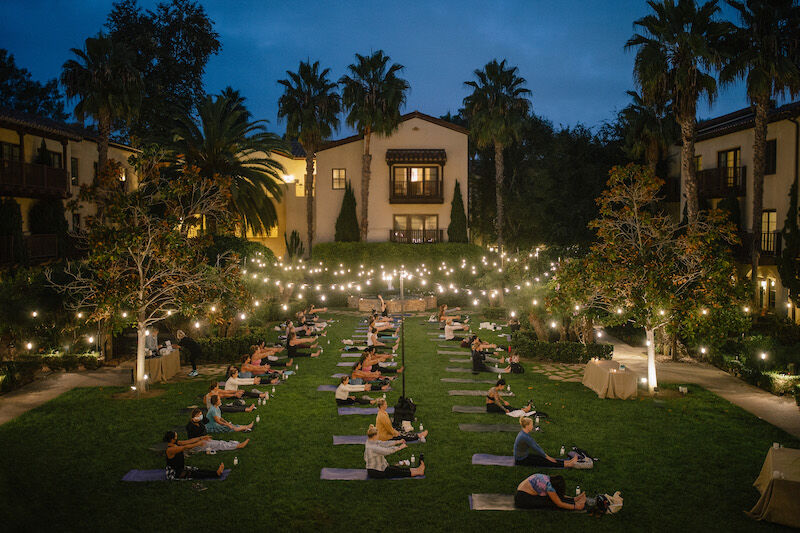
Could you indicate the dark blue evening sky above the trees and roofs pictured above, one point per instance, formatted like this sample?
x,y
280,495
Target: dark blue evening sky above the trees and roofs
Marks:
x,y
570,51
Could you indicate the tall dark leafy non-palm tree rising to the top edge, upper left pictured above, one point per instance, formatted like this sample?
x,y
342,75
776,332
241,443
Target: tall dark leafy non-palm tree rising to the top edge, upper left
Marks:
x,y
173,43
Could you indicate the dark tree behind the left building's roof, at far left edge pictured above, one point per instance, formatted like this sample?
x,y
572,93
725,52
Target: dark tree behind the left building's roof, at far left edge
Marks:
x,y
18,91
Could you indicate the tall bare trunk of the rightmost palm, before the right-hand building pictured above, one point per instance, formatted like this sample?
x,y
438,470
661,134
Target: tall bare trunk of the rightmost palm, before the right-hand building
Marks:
x,y
759,165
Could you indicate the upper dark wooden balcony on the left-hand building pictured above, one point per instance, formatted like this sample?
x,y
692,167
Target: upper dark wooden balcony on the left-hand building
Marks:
x,y
35,182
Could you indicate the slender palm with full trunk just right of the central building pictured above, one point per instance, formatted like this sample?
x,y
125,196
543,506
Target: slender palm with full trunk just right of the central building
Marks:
x,y
496,110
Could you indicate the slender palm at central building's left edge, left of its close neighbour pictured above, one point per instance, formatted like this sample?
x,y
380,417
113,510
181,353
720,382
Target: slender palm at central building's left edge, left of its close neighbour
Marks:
x,y
311,107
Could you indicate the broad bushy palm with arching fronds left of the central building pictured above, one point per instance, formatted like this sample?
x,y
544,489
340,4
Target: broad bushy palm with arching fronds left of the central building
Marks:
x,y
220,139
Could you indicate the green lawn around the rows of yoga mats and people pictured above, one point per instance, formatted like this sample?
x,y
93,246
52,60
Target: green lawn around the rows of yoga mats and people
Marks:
x,y
686,464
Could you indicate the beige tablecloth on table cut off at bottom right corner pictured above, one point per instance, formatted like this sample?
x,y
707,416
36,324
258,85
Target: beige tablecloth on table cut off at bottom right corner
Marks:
x,y
779,485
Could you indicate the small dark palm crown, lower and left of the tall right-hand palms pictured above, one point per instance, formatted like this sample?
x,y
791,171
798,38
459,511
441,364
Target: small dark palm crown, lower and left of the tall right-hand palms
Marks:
x,y
649,130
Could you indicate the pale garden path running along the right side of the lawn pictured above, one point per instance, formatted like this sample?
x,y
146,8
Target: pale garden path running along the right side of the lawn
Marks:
x,y
779,411
